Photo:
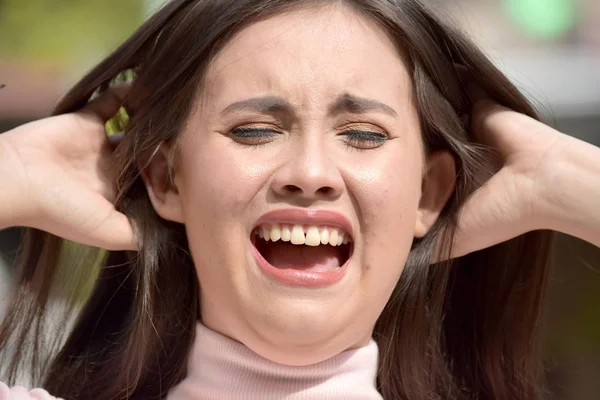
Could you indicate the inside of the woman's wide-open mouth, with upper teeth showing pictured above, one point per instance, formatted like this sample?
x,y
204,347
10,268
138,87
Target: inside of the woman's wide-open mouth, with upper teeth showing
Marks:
x,y
303,247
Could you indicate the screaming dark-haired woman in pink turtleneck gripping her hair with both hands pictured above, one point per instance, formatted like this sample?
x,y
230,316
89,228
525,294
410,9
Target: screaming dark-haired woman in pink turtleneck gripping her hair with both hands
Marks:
x,y
296,210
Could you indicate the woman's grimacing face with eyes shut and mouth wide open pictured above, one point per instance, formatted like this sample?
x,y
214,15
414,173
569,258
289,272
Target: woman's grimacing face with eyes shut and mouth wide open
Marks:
x,y
305,130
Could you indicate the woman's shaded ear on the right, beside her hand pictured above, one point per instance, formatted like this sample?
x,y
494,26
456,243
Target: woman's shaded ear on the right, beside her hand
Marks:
x,y
438,185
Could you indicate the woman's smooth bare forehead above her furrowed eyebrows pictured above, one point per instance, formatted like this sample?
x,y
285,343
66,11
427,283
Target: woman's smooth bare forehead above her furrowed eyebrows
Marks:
x,y
310,53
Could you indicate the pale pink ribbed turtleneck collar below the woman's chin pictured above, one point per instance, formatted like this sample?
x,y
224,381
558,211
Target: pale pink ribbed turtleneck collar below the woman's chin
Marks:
x,y
221,368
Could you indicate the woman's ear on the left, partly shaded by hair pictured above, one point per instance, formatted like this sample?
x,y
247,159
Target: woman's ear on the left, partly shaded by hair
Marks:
x,y
159,178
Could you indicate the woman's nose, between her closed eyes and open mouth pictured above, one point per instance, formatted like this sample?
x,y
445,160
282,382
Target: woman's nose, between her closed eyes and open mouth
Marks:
x,y
308,173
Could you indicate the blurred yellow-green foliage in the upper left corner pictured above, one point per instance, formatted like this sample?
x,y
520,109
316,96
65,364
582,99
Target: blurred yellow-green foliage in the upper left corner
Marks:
x,y
66,32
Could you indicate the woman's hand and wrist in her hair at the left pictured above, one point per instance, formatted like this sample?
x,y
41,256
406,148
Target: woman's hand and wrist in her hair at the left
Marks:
x,y
56,176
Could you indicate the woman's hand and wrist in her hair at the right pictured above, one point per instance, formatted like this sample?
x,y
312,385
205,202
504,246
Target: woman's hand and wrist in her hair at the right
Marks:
x,y
544,180
